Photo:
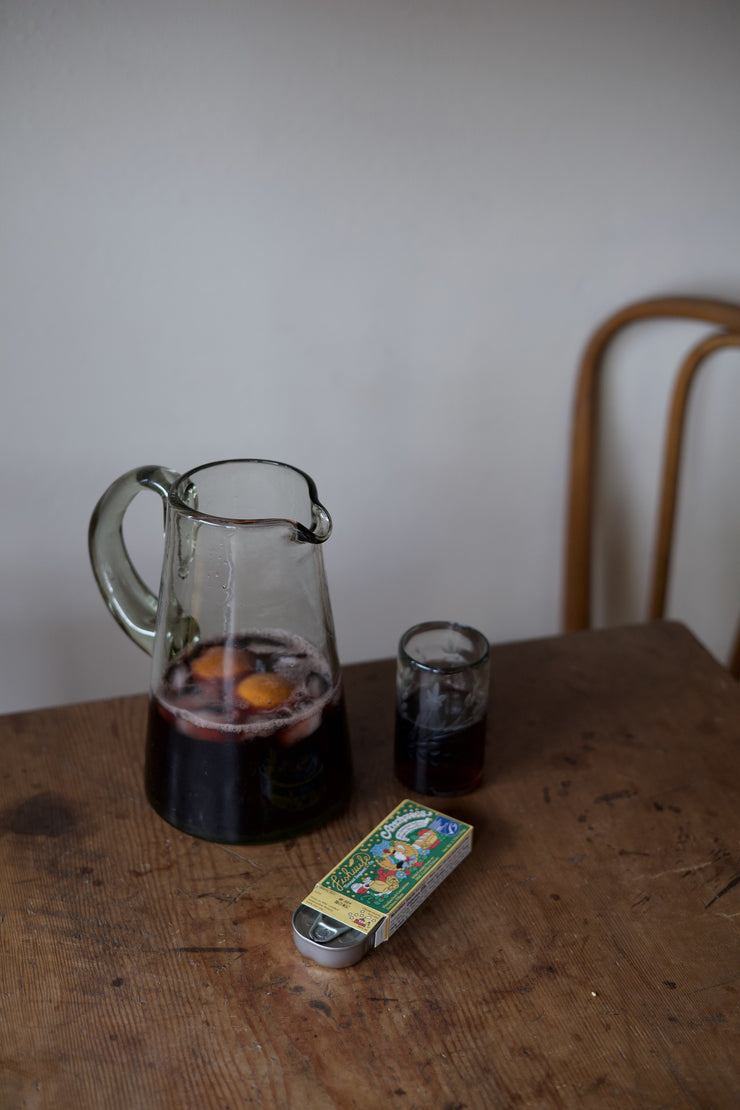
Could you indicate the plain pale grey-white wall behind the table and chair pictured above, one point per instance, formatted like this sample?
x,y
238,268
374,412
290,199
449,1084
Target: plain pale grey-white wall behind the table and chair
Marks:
x,y
367,239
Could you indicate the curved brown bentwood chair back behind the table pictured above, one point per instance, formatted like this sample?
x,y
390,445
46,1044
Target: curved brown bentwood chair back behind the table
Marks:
x,y
577,596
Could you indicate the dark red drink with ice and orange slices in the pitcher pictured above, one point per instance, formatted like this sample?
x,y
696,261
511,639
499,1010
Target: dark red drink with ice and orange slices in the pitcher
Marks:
x,y
248,741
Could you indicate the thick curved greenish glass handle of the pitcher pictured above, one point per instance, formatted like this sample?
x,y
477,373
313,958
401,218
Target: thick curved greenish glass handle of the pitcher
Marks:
x,y
127,596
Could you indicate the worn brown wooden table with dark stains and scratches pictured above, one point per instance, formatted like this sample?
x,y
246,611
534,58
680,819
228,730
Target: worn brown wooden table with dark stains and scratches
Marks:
x,y
587,954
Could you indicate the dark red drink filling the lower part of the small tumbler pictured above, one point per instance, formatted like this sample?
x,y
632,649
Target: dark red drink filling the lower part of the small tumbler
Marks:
x,y
438,761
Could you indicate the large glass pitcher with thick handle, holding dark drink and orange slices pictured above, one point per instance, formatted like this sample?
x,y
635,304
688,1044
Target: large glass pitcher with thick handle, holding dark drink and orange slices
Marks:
x,y
247,739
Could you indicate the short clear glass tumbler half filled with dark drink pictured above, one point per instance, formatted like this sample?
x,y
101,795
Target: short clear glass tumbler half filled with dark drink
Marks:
x,y
442,700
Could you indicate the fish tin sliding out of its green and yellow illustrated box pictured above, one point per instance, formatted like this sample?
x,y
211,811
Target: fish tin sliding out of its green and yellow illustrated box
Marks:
x,y
379,885
